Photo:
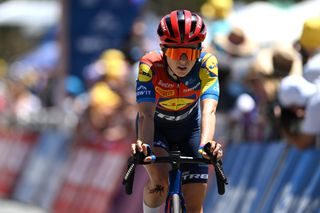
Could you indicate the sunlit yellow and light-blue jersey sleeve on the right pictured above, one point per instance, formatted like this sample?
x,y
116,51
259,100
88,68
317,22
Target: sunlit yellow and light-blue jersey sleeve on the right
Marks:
x,y
209,78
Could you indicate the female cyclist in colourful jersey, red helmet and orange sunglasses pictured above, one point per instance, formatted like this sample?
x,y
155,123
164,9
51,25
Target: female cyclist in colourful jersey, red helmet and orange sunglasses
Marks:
x,y
177,93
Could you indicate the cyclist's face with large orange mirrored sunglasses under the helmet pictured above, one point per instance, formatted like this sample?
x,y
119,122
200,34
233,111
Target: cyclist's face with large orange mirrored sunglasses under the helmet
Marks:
x,y
182,59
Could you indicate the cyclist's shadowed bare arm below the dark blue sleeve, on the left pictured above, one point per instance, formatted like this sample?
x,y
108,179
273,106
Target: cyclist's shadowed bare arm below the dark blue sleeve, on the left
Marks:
x,y
146,121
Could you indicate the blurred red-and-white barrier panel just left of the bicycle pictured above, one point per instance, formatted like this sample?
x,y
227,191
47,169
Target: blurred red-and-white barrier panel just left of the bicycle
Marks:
x,y
93,176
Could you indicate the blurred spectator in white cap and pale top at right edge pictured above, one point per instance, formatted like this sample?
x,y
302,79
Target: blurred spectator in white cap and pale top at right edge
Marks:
x,y
300,117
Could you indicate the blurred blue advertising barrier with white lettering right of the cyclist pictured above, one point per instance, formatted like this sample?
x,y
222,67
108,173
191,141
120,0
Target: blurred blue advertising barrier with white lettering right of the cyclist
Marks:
x,y
273,177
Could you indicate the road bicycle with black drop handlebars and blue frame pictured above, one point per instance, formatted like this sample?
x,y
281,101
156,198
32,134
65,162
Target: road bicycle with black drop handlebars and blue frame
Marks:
x,y
175,202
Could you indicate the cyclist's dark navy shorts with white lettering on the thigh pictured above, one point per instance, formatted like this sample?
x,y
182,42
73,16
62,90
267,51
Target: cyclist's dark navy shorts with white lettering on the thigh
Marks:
x,y
186,137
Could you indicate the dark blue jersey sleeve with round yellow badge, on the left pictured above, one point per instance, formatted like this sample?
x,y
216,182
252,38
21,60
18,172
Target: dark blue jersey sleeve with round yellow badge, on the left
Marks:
x,y
145,91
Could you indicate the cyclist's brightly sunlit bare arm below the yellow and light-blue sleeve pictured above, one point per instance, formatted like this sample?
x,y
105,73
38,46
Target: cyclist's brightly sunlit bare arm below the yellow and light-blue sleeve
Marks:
x,y
208,120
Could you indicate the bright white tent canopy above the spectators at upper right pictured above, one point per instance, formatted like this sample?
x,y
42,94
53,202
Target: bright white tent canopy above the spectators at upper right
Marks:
x,y
266,23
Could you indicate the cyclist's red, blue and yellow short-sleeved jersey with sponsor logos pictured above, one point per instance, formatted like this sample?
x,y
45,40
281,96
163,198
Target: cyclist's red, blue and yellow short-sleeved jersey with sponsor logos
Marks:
x,y
176,100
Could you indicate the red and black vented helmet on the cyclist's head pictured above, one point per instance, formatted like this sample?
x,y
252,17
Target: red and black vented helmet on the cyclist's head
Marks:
x,y
181,27
